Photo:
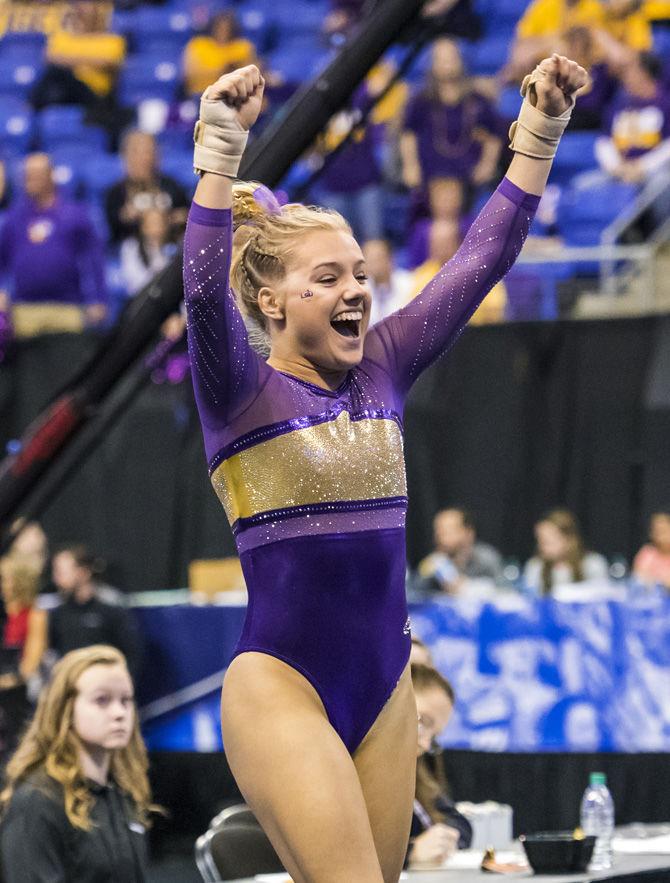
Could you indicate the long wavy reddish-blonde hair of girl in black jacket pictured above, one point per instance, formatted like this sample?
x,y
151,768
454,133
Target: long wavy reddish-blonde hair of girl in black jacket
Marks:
x,y
50,744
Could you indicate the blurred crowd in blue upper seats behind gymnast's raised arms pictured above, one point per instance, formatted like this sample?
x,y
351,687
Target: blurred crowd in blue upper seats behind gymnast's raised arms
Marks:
x,y
103,108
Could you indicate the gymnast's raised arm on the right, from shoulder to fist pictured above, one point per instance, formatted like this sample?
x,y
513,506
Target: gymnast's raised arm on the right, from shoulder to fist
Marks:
x,y
408,341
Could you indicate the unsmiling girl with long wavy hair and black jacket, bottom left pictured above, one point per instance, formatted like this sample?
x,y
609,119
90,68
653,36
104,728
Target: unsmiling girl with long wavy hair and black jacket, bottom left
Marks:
x,y
77,798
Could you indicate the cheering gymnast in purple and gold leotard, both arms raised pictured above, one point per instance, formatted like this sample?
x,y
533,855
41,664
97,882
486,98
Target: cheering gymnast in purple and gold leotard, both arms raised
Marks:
x,y
305,452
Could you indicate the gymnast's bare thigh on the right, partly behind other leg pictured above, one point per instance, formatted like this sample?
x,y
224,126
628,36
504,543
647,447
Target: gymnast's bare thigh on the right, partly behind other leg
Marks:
x,y
386,766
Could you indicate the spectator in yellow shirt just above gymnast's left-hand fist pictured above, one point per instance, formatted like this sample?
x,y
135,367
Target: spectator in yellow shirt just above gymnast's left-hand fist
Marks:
x,y
209,56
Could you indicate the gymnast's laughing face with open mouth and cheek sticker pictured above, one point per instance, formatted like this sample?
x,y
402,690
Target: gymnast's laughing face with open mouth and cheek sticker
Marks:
x,y
318,314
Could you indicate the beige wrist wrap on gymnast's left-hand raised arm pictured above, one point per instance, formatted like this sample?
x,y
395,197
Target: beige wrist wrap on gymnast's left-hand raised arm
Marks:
x,y
219,139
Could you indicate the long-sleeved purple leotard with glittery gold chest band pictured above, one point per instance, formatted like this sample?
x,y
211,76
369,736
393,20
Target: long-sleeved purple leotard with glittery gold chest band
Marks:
x,y
313,481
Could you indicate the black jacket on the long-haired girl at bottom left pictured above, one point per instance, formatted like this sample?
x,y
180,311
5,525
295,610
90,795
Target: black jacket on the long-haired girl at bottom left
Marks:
x,y
39,845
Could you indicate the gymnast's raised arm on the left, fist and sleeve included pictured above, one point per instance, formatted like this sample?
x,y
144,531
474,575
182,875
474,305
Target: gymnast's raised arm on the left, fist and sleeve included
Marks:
x,y
225,368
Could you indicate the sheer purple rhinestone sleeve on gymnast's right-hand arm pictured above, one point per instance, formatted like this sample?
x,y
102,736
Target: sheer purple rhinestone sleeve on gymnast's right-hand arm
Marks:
x,y
408,341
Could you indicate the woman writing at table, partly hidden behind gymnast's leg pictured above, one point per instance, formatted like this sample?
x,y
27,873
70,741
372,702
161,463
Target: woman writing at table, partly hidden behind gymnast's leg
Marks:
x,y
438,828
